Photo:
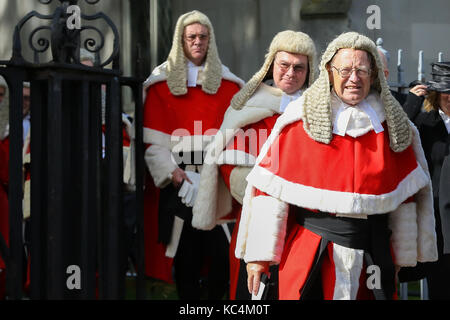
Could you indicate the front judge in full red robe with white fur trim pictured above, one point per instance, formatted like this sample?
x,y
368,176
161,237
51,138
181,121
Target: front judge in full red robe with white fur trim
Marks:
x,y
340,196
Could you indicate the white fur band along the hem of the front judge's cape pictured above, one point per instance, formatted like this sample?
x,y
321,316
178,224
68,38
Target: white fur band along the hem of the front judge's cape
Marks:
x,y
335,201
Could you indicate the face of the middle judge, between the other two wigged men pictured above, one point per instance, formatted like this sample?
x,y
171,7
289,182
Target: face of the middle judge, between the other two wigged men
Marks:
x,y
290,71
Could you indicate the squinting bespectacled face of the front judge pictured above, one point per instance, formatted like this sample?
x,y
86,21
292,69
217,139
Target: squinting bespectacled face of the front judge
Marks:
x,y
353,87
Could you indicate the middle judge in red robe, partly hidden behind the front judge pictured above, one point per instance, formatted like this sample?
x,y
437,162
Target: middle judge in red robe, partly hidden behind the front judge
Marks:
x,y
286,72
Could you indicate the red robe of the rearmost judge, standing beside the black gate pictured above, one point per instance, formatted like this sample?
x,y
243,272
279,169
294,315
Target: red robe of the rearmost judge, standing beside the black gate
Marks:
x,y
176,123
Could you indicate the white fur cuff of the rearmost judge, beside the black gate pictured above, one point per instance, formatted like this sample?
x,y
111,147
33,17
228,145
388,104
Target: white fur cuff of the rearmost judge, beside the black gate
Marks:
x,y
160,164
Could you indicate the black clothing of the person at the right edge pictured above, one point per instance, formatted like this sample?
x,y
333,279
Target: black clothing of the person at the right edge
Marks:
x,y
436,143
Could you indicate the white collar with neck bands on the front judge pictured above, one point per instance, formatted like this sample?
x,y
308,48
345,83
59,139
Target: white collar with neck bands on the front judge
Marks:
x,y
357,120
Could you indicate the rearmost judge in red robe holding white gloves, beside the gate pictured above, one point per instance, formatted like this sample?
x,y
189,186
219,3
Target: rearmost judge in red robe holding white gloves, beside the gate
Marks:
x,y
186,98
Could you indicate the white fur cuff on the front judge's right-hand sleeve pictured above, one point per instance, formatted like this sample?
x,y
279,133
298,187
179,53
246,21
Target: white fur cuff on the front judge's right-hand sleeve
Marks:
x,y
403,223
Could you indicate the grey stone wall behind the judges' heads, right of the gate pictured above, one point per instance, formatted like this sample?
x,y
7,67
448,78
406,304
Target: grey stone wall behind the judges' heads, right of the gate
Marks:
x,y
244,28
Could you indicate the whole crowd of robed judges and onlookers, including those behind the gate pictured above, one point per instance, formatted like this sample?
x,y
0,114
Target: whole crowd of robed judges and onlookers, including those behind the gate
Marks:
x,y
313,174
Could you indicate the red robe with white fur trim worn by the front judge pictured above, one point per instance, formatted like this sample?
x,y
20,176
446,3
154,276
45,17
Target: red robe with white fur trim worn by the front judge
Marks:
x,y
351,176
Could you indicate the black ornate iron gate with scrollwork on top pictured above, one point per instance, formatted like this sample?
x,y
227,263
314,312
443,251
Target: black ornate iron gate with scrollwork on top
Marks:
x,y
76,218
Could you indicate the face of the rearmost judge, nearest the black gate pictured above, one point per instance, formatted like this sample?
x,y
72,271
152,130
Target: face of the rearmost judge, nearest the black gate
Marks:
x,y
195,42
